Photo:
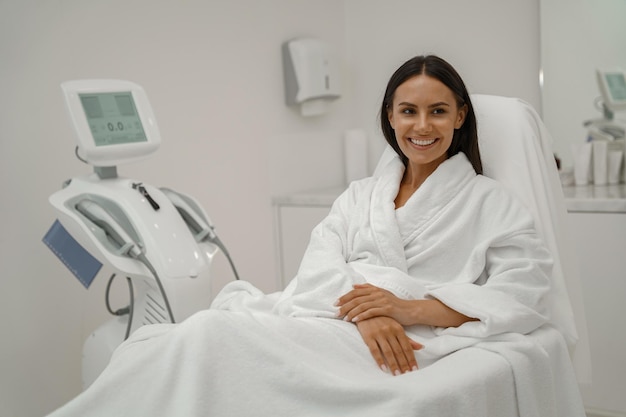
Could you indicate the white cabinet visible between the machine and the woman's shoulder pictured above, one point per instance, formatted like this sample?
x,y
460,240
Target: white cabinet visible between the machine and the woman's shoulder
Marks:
x,y
295,217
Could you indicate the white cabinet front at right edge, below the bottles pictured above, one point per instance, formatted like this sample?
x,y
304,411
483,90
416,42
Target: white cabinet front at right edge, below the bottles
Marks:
x,y
601,251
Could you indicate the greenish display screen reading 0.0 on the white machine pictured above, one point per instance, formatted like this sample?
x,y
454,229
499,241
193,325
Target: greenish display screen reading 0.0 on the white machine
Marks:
x,y
113,118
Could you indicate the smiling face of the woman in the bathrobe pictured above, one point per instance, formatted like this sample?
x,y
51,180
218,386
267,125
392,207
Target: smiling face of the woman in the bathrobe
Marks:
x,y
424,114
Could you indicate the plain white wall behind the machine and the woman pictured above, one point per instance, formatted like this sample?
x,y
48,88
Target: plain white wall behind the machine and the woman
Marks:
x,y
213,72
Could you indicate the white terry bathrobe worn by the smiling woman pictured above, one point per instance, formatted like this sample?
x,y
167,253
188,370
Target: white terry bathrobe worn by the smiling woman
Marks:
x,y
460,238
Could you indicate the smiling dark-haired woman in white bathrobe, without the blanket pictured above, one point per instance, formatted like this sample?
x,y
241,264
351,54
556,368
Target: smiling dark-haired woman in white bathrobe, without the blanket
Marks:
x,y
456,236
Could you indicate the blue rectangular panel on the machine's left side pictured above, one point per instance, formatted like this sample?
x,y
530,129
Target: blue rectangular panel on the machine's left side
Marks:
x,y
76,258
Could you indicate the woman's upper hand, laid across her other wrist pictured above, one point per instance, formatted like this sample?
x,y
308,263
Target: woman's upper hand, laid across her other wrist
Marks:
x,y
366,301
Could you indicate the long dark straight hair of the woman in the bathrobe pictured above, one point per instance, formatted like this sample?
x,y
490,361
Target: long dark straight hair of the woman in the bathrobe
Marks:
x,y
465,138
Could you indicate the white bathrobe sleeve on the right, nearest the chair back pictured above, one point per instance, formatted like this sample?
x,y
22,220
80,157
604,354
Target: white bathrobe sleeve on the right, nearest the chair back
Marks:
x,y
510,293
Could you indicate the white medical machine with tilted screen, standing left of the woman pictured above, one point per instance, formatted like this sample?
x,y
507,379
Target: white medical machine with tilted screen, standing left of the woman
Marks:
x,y
161,240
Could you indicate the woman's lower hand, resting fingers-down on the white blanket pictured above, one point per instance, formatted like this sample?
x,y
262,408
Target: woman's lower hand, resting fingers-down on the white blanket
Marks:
x,y
388,343
